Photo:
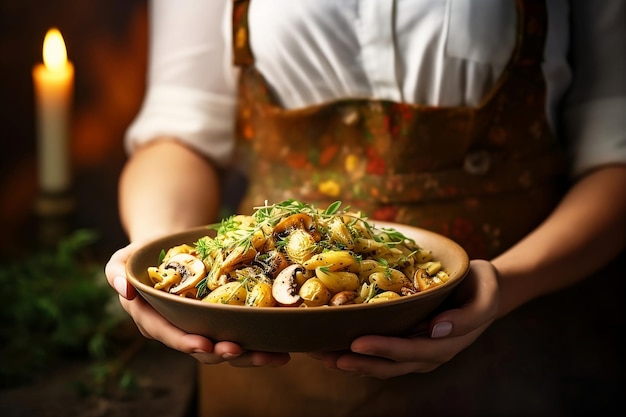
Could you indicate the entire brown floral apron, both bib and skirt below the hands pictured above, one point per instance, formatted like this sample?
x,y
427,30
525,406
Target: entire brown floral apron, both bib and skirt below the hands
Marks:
x,y
484,176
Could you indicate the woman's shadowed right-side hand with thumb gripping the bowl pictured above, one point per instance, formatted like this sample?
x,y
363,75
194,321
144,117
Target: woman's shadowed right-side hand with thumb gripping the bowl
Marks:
x,y
448,333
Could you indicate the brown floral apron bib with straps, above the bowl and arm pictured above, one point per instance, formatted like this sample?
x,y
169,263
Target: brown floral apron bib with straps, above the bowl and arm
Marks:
x,y
484,176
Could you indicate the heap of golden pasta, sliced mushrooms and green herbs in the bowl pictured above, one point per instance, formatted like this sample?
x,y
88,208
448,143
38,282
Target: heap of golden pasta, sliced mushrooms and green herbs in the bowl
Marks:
x,y
292,254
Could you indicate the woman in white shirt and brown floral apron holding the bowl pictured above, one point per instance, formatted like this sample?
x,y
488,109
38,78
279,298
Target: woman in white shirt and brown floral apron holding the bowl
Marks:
x,y
492,122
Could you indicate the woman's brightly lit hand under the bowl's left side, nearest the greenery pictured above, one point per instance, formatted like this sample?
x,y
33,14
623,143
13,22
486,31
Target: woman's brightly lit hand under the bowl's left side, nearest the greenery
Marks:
x,y
154,326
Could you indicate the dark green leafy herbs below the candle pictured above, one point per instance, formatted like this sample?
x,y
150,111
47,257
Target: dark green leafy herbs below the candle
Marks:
x,y
54,306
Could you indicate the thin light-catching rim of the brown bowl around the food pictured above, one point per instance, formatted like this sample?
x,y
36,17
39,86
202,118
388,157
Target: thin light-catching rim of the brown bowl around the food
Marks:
x,y
147,290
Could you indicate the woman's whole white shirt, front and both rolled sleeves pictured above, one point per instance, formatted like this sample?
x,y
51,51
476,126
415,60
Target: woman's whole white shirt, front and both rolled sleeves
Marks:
x,y
433,52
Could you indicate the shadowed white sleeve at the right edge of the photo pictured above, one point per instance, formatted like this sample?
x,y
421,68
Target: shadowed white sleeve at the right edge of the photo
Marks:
x,y
594,113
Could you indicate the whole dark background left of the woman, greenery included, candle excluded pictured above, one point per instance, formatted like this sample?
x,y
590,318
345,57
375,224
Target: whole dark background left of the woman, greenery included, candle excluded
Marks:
x,y
53,304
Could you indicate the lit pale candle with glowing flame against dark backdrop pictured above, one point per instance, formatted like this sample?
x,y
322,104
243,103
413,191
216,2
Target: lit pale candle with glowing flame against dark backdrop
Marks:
x,y
54,85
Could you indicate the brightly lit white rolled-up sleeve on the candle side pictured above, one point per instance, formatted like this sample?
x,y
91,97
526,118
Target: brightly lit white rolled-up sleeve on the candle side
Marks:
x,y
191,80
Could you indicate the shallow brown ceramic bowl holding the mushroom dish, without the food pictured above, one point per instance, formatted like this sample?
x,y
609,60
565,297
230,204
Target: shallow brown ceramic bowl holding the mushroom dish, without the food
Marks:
x,y
297,329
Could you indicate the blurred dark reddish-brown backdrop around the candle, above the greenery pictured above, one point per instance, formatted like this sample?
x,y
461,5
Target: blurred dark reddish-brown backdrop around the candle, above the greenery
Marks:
x,y
106,41
